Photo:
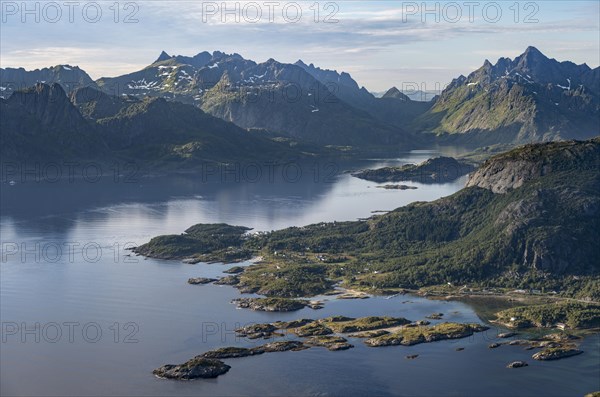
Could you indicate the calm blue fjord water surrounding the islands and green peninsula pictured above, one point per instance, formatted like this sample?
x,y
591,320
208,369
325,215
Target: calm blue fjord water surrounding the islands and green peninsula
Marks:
x,y
140,313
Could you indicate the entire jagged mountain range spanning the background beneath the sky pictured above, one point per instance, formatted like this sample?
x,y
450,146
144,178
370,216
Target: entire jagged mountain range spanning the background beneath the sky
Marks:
x,y
529,99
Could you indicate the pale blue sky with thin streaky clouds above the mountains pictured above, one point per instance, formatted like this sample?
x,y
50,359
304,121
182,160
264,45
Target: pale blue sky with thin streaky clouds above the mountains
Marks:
x,y
381,43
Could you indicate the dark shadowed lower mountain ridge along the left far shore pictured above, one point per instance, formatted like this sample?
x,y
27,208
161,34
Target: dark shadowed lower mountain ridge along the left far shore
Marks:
x,y
43,123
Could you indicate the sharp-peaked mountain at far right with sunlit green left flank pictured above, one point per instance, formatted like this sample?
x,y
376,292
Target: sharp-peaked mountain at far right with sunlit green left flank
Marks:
x,y
529,99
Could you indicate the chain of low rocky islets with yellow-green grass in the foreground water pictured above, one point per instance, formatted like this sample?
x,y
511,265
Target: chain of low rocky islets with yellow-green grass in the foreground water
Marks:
x,y
375,331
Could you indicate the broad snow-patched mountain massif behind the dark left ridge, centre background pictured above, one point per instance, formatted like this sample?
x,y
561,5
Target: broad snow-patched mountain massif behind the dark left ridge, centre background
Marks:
x,y
291,100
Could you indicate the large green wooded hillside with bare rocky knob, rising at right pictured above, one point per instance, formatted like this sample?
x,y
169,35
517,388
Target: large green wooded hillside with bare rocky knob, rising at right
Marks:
x,y
540,231
